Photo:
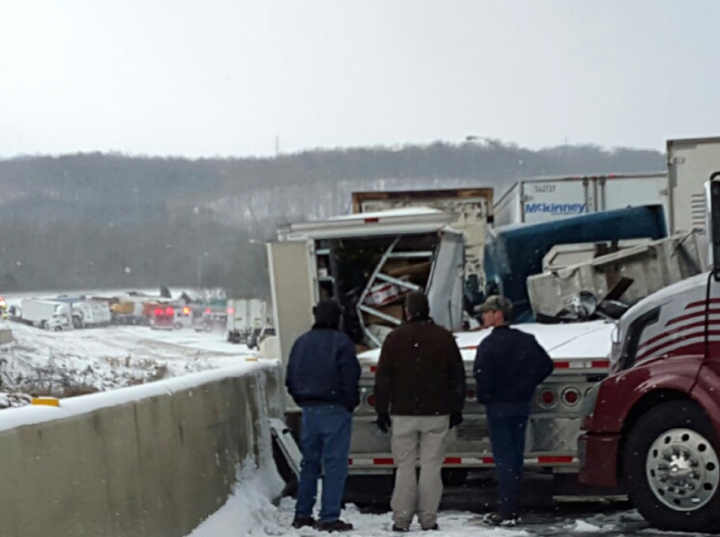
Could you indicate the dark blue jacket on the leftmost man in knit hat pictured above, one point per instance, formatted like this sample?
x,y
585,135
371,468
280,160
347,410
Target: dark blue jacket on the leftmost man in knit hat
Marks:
x,y
323,369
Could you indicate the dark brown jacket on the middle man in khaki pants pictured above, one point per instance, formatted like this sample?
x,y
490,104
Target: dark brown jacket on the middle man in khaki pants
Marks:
x,y
420,371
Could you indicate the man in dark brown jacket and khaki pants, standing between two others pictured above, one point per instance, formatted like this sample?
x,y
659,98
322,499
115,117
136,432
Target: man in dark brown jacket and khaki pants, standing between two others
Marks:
x,y
420,391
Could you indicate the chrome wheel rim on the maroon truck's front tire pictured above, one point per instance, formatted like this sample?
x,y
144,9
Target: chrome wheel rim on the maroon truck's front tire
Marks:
x,y
682,469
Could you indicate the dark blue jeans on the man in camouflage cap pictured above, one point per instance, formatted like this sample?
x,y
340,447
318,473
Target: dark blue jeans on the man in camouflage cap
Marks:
x,y
507,423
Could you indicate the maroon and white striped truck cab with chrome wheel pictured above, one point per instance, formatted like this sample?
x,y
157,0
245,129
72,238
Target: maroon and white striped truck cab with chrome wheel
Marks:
x,y
652,427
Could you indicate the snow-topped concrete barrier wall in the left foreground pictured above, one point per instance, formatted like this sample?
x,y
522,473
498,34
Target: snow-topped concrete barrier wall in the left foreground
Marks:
x,y
147,461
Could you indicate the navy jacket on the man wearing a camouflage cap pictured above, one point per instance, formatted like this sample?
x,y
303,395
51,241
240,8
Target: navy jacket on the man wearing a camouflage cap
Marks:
x,y
509,365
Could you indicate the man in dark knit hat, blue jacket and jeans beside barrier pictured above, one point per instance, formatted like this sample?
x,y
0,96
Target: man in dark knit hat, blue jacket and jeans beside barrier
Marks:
x,y
322,377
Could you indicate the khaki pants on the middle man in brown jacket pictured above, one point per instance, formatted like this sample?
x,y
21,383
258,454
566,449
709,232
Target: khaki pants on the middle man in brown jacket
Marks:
x,y
416,437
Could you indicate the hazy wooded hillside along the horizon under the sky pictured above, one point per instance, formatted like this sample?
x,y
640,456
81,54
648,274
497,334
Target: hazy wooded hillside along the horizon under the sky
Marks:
x,y
113,221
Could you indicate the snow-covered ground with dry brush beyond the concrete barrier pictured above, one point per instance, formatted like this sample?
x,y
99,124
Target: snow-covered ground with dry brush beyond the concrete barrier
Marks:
x,y
74,362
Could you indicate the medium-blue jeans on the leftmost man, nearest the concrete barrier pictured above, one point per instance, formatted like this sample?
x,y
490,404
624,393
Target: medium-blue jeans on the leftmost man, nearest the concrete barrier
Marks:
x,y
324,440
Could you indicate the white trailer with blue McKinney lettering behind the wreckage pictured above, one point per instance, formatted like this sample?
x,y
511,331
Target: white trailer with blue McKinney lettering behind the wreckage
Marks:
x,y
544,199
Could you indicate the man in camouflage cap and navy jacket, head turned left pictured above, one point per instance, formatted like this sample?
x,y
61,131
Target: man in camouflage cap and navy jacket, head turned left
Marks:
x,y
509,365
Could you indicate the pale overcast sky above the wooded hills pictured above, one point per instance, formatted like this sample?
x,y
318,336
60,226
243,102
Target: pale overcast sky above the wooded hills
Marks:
x,y
240,78
